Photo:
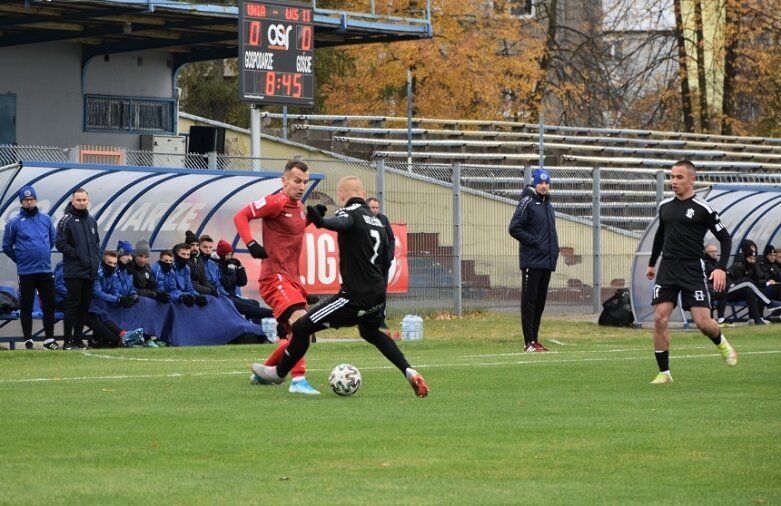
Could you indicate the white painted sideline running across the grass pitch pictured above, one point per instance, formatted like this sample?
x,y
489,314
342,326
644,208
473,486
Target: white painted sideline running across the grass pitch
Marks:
x,y
375,368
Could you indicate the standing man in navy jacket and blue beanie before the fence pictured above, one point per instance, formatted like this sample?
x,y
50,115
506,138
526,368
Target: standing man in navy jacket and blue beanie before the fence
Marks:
x,y
533,225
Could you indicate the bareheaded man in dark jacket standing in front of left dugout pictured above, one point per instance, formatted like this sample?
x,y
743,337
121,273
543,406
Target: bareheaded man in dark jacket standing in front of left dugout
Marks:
x,y
78,241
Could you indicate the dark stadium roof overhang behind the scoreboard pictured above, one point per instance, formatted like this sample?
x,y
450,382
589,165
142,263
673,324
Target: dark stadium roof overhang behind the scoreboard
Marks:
x,y
192,31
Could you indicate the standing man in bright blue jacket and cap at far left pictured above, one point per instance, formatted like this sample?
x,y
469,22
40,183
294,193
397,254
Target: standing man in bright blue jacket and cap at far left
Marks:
x,y
28,240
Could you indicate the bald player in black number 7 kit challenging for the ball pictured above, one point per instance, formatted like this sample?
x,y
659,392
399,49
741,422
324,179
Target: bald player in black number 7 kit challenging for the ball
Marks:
x,y
363,242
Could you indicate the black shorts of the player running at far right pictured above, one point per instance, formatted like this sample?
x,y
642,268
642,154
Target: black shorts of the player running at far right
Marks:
x,y
685,277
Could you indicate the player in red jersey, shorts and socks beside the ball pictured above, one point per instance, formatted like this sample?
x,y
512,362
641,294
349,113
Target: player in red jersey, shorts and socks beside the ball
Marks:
x,y
284,221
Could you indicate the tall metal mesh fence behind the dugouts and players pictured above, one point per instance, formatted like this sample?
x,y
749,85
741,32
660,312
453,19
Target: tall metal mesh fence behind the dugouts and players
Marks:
x,y
460,255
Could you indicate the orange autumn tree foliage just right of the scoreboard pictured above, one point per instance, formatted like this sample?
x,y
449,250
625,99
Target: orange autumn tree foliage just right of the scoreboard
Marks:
x,y
483,62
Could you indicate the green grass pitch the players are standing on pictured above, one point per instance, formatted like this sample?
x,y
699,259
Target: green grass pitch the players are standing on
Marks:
x,y
581,425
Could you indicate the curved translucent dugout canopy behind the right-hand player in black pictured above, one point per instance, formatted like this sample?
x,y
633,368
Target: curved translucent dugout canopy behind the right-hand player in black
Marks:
x,y
748,211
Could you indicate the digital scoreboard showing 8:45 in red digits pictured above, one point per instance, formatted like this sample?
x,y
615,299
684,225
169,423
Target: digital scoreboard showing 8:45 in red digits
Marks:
x,y
276,53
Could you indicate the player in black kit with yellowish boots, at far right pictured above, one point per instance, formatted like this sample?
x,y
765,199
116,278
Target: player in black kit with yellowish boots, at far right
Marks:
x,y
683,222
